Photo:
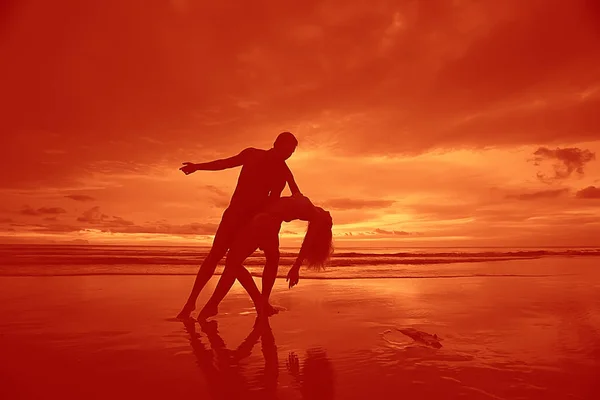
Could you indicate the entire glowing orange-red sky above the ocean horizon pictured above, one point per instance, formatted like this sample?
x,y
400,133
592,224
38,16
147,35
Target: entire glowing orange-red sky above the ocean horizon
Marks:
x,y
440,124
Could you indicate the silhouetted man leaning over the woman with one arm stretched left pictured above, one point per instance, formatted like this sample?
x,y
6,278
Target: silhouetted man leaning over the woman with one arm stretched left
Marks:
x,y
263,177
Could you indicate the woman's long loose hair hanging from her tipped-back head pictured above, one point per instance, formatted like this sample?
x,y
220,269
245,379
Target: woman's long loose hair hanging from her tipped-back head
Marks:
x,y
318,241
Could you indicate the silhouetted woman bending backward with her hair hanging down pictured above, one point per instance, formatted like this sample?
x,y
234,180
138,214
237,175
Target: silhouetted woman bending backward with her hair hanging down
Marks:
x,y
262,232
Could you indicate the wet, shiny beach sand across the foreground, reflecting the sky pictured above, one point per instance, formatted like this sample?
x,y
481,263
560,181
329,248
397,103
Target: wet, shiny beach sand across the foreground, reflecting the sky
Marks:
x,y
113,337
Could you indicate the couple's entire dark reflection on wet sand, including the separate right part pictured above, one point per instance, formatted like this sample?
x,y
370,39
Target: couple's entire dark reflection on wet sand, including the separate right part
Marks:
x,y
224,372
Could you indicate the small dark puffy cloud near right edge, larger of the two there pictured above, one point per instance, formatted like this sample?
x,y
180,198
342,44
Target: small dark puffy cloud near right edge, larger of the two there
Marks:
x,y
569,160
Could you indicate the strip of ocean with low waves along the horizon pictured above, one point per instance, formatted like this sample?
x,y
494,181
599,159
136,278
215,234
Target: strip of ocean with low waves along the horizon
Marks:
x,y
346,263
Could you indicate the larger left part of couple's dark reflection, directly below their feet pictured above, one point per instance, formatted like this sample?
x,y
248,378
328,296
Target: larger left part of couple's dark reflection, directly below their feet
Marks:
x,y
224,372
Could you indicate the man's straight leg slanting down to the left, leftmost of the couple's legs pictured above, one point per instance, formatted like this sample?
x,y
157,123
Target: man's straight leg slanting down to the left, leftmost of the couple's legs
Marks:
x,y
223,238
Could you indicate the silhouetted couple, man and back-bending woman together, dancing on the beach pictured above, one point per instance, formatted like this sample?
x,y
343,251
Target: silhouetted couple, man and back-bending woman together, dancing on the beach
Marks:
x,y
253,220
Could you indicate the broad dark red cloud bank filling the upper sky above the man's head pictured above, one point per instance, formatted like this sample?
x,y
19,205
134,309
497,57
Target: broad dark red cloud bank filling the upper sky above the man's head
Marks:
x,y
453,74
